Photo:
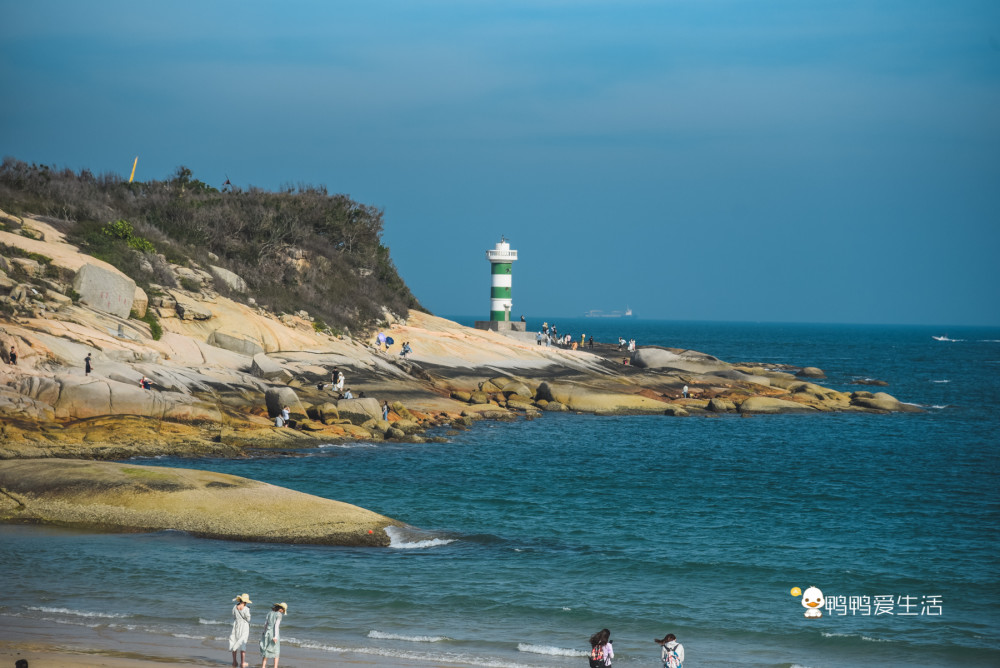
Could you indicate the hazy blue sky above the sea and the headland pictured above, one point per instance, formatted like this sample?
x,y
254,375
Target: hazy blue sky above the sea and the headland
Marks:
x,y
805,161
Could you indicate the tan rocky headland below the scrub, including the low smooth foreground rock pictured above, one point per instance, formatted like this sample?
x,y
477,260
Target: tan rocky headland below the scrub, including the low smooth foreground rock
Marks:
x,y
222,368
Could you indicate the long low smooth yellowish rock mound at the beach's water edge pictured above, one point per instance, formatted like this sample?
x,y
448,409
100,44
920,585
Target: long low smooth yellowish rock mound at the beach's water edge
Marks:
x,y
129,497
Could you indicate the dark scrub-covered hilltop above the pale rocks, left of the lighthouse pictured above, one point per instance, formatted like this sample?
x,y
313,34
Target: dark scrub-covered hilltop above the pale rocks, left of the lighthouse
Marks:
x,y
296,249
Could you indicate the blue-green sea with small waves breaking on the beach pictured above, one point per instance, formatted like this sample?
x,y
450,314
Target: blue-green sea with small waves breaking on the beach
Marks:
x,y
518,540
